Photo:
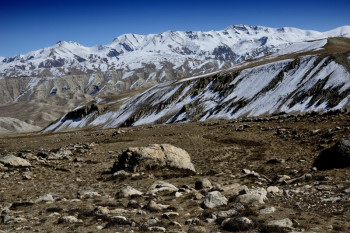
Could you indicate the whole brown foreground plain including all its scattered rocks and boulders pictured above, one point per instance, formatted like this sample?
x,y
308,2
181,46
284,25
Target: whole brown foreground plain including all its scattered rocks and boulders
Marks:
x,y
273,174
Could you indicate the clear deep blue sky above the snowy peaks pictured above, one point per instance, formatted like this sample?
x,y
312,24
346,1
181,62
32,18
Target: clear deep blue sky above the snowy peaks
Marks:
x,y
30,25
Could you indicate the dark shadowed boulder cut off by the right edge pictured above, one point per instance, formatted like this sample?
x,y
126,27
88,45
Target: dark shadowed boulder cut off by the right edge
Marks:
x,y
337,156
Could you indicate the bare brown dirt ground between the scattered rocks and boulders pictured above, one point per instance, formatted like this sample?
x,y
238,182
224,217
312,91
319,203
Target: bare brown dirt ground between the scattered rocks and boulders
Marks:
x,y
226,146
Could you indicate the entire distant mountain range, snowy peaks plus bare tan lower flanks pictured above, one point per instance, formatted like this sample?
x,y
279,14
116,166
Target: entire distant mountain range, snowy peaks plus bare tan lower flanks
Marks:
x,y
67,74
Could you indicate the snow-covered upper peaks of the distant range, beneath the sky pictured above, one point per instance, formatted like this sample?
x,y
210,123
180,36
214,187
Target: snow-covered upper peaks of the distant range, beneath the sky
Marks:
x,y
189,50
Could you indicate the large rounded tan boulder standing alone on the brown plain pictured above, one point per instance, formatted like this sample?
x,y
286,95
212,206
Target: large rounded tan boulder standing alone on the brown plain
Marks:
x,y
155,156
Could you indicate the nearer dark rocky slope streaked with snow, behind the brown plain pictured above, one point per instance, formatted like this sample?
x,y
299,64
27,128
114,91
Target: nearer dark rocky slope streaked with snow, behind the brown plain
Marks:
x,y
315,77
